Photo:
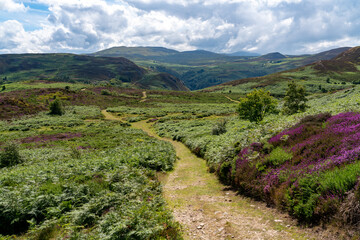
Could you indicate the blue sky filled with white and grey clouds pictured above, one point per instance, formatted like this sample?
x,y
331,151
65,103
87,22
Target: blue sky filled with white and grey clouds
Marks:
x,y
261,26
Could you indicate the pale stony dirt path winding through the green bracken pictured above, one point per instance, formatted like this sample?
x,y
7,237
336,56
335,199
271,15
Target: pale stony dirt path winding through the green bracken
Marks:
x,y
207,210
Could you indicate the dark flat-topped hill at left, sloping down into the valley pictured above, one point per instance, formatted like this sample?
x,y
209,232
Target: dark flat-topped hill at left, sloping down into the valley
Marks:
x,y
84,69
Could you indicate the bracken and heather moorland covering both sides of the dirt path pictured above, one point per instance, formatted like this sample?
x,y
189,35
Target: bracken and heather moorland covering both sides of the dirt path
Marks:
x,y
75,175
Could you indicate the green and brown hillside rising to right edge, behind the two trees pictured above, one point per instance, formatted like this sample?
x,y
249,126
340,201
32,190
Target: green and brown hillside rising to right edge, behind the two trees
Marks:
x,y
341,72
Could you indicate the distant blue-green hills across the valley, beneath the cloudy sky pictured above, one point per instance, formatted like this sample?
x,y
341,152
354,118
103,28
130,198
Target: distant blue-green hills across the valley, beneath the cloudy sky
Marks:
x,y
200,69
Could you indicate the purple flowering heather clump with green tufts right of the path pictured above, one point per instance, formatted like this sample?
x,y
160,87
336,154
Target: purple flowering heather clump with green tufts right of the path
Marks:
x,y
320,145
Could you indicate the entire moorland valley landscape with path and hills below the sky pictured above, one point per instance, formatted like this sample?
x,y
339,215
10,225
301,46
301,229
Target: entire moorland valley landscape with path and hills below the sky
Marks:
x,y
146,158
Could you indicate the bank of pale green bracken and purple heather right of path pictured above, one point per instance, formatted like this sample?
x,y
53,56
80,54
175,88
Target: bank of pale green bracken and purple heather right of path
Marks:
x,y
306,163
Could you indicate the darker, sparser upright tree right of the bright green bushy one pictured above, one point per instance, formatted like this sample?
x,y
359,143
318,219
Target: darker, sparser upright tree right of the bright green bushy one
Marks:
x,y
295,99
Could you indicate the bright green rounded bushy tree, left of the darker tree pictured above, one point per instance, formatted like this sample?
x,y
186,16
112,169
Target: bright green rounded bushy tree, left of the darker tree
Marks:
x,y
256,105
